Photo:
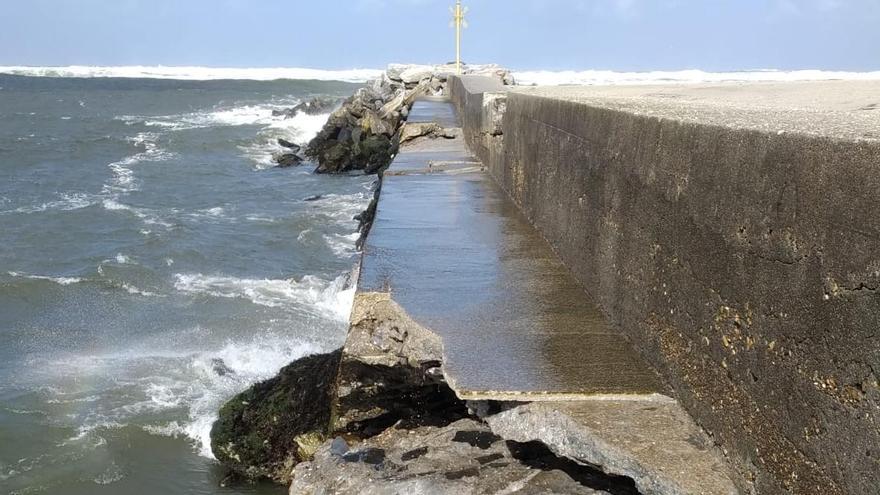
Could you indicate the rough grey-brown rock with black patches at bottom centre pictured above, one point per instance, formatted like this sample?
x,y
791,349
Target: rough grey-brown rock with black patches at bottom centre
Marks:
x,y
463,458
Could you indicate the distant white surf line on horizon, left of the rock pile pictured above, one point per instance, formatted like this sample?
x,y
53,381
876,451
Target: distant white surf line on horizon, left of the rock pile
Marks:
x,y
195,73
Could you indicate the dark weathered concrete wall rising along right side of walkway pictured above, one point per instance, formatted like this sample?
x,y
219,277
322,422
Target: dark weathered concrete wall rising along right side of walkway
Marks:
x,y
744,265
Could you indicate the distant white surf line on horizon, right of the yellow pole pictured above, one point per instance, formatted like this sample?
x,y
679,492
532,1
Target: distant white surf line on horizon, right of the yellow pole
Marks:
x,y
608,77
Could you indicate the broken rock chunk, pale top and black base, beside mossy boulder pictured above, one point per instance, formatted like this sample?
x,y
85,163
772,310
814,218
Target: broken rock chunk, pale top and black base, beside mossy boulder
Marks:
x,y
391,370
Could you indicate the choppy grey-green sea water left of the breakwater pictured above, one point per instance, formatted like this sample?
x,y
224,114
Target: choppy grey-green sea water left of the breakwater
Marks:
x,y
153,264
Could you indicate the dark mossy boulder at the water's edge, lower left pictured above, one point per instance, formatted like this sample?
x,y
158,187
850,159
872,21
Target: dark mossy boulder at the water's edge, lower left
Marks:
x,y
264,431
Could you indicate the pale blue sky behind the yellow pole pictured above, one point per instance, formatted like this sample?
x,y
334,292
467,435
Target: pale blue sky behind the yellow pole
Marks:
x,y
626,35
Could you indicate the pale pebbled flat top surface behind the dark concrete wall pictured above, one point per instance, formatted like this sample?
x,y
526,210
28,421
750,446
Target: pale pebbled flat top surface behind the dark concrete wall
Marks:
x,y
848,110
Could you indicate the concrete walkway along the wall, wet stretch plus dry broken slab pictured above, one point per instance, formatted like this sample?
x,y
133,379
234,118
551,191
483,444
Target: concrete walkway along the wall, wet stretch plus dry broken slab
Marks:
x,y
458,257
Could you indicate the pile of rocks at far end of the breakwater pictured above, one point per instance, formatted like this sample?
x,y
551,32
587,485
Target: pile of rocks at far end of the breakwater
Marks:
x,y
365,132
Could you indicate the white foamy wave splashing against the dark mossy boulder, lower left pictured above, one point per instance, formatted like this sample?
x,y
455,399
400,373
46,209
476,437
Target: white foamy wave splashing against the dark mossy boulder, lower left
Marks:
x,y
196,382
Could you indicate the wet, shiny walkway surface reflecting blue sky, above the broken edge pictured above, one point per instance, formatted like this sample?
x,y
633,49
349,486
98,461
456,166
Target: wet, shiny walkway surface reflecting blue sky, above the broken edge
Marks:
x,y
458,256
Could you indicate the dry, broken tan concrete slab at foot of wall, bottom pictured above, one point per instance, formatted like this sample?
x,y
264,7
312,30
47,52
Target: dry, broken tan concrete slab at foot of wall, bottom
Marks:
x,y
653,442
